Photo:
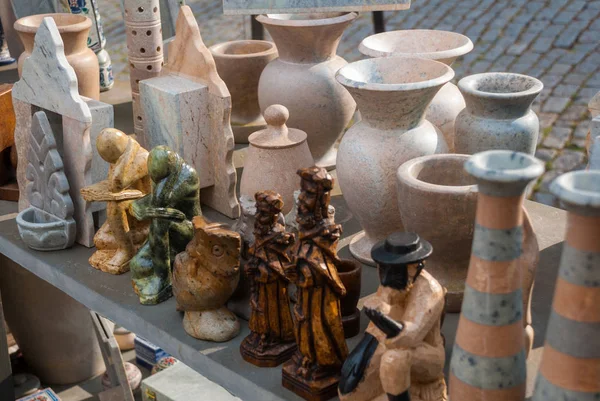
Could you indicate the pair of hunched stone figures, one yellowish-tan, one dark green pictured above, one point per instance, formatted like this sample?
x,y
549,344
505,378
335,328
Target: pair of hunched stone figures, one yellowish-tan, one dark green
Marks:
x,y
151,199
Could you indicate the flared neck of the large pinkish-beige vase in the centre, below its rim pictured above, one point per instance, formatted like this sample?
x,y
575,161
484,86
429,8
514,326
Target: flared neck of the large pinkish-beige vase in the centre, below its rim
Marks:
x,y
393,110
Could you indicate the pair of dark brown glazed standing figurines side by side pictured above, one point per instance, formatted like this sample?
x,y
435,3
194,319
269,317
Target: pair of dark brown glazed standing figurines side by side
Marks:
x,y
314,328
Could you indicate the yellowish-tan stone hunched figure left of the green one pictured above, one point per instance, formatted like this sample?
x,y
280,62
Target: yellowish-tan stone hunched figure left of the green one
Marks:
x,y
121,235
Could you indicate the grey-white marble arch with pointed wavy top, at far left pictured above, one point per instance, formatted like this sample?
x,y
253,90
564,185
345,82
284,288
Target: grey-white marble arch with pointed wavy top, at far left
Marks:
x,y
49,83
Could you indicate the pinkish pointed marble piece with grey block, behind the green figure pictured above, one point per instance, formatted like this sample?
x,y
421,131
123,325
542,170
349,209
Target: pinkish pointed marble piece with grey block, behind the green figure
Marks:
x,y
192,64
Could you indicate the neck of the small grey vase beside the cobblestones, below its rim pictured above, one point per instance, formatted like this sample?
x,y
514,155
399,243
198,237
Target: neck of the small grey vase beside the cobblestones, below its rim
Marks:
x,y
498,108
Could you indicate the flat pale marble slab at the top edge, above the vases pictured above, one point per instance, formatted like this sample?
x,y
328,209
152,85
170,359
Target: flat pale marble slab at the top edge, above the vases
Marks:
x,y
250,7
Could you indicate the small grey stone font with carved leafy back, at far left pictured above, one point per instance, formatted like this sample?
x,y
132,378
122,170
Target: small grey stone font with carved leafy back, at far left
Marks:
x,y
48,224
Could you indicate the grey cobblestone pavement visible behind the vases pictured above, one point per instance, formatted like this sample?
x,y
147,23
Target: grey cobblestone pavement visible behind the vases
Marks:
x,y
557,41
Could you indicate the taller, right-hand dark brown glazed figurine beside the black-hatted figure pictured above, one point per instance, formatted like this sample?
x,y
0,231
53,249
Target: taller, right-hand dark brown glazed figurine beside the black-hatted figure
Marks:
x,y
314,370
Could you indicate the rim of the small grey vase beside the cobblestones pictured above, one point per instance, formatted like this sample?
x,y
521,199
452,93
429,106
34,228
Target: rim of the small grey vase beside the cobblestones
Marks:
x,y
478,84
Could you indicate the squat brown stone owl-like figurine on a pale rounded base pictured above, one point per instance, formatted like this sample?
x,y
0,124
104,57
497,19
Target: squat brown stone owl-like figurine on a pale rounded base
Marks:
x,y
204,277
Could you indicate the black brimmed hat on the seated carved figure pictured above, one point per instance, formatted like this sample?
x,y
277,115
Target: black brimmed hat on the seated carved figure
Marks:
x,y
401,248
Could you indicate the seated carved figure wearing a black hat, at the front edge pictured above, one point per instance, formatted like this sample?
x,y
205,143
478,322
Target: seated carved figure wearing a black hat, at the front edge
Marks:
x,y
402,352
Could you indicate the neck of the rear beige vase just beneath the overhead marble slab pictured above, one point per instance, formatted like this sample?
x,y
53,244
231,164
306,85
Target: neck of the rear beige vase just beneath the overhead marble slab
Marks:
x,y
307,44
